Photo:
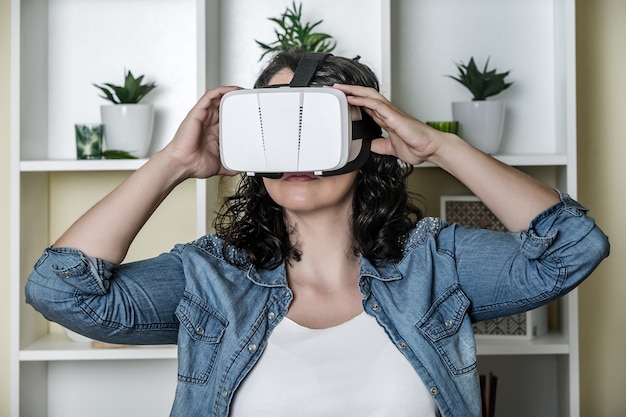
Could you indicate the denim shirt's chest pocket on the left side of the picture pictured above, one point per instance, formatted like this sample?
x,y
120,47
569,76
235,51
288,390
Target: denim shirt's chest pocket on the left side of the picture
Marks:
x,y
199,339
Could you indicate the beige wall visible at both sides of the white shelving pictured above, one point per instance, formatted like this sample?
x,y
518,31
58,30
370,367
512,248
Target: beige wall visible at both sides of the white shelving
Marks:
x,y
602,148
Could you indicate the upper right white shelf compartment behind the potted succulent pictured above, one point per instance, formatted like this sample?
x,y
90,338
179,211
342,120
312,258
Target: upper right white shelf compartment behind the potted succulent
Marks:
x,y
429,37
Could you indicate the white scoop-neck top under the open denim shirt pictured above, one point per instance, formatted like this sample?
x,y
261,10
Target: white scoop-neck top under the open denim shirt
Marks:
x,y
351,369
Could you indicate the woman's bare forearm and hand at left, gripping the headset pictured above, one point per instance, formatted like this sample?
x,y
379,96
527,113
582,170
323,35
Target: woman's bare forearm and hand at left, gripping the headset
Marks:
x,y
108,228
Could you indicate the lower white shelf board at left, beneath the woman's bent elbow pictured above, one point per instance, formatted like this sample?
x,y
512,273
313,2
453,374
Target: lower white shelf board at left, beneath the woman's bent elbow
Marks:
x,y
57,347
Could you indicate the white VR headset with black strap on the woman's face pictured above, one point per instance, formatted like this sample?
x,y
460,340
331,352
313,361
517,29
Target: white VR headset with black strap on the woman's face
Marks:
x,y
294,128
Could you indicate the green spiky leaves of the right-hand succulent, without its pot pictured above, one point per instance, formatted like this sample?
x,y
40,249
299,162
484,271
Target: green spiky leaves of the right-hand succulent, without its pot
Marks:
x,y
481,84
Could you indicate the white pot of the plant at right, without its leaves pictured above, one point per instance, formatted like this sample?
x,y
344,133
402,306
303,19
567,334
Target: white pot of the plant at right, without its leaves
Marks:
x,y
480,123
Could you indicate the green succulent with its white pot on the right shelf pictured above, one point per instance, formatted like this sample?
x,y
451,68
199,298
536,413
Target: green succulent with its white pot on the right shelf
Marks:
x,y
481,121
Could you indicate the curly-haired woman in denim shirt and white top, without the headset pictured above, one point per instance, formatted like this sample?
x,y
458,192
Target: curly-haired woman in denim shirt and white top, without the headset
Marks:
x,y
319,295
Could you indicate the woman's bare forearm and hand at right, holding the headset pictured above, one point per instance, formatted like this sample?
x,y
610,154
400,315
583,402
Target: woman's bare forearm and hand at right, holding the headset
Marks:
x,y
514,197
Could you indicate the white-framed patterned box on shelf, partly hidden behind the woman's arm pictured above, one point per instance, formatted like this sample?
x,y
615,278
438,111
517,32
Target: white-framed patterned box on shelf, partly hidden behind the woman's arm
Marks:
x,y
470,211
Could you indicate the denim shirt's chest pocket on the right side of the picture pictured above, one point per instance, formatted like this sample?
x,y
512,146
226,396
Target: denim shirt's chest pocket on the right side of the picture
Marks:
x,y
448,328
